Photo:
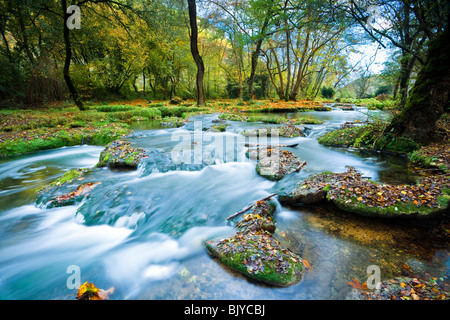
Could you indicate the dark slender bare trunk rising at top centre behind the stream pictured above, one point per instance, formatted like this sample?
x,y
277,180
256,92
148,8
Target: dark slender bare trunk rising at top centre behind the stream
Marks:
x,y
194,50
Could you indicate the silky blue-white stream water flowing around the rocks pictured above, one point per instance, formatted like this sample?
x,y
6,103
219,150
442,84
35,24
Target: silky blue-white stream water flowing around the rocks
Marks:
x,y
142,231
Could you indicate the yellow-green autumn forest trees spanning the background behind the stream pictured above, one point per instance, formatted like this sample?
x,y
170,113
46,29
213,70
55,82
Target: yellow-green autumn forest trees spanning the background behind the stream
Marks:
x,y
279,49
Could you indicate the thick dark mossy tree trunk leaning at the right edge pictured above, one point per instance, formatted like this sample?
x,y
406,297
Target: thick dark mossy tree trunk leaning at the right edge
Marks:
x,y
429,98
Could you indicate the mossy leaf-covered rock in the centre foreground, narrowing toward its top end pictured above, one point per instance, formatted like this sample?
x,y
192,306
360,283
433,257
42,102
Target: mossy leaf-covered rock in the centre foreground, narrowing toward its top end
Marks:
x,y
254,251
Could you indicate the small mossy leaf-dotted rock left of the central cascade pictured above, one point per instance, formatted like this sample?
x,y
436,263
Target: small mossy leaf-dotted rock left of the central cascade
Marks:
x,y
120,155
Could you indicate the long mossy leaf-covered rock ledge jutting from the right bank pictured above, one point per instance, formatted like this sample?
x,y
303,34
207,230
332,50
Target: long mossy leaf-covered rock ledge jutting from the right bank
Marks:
x,y
350,192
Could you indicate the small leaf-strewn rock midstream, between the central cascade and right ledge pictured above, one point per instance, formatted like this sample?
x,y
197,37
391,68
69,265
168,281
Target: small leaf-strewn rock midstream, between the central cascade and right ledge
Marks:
x,y
273,163
